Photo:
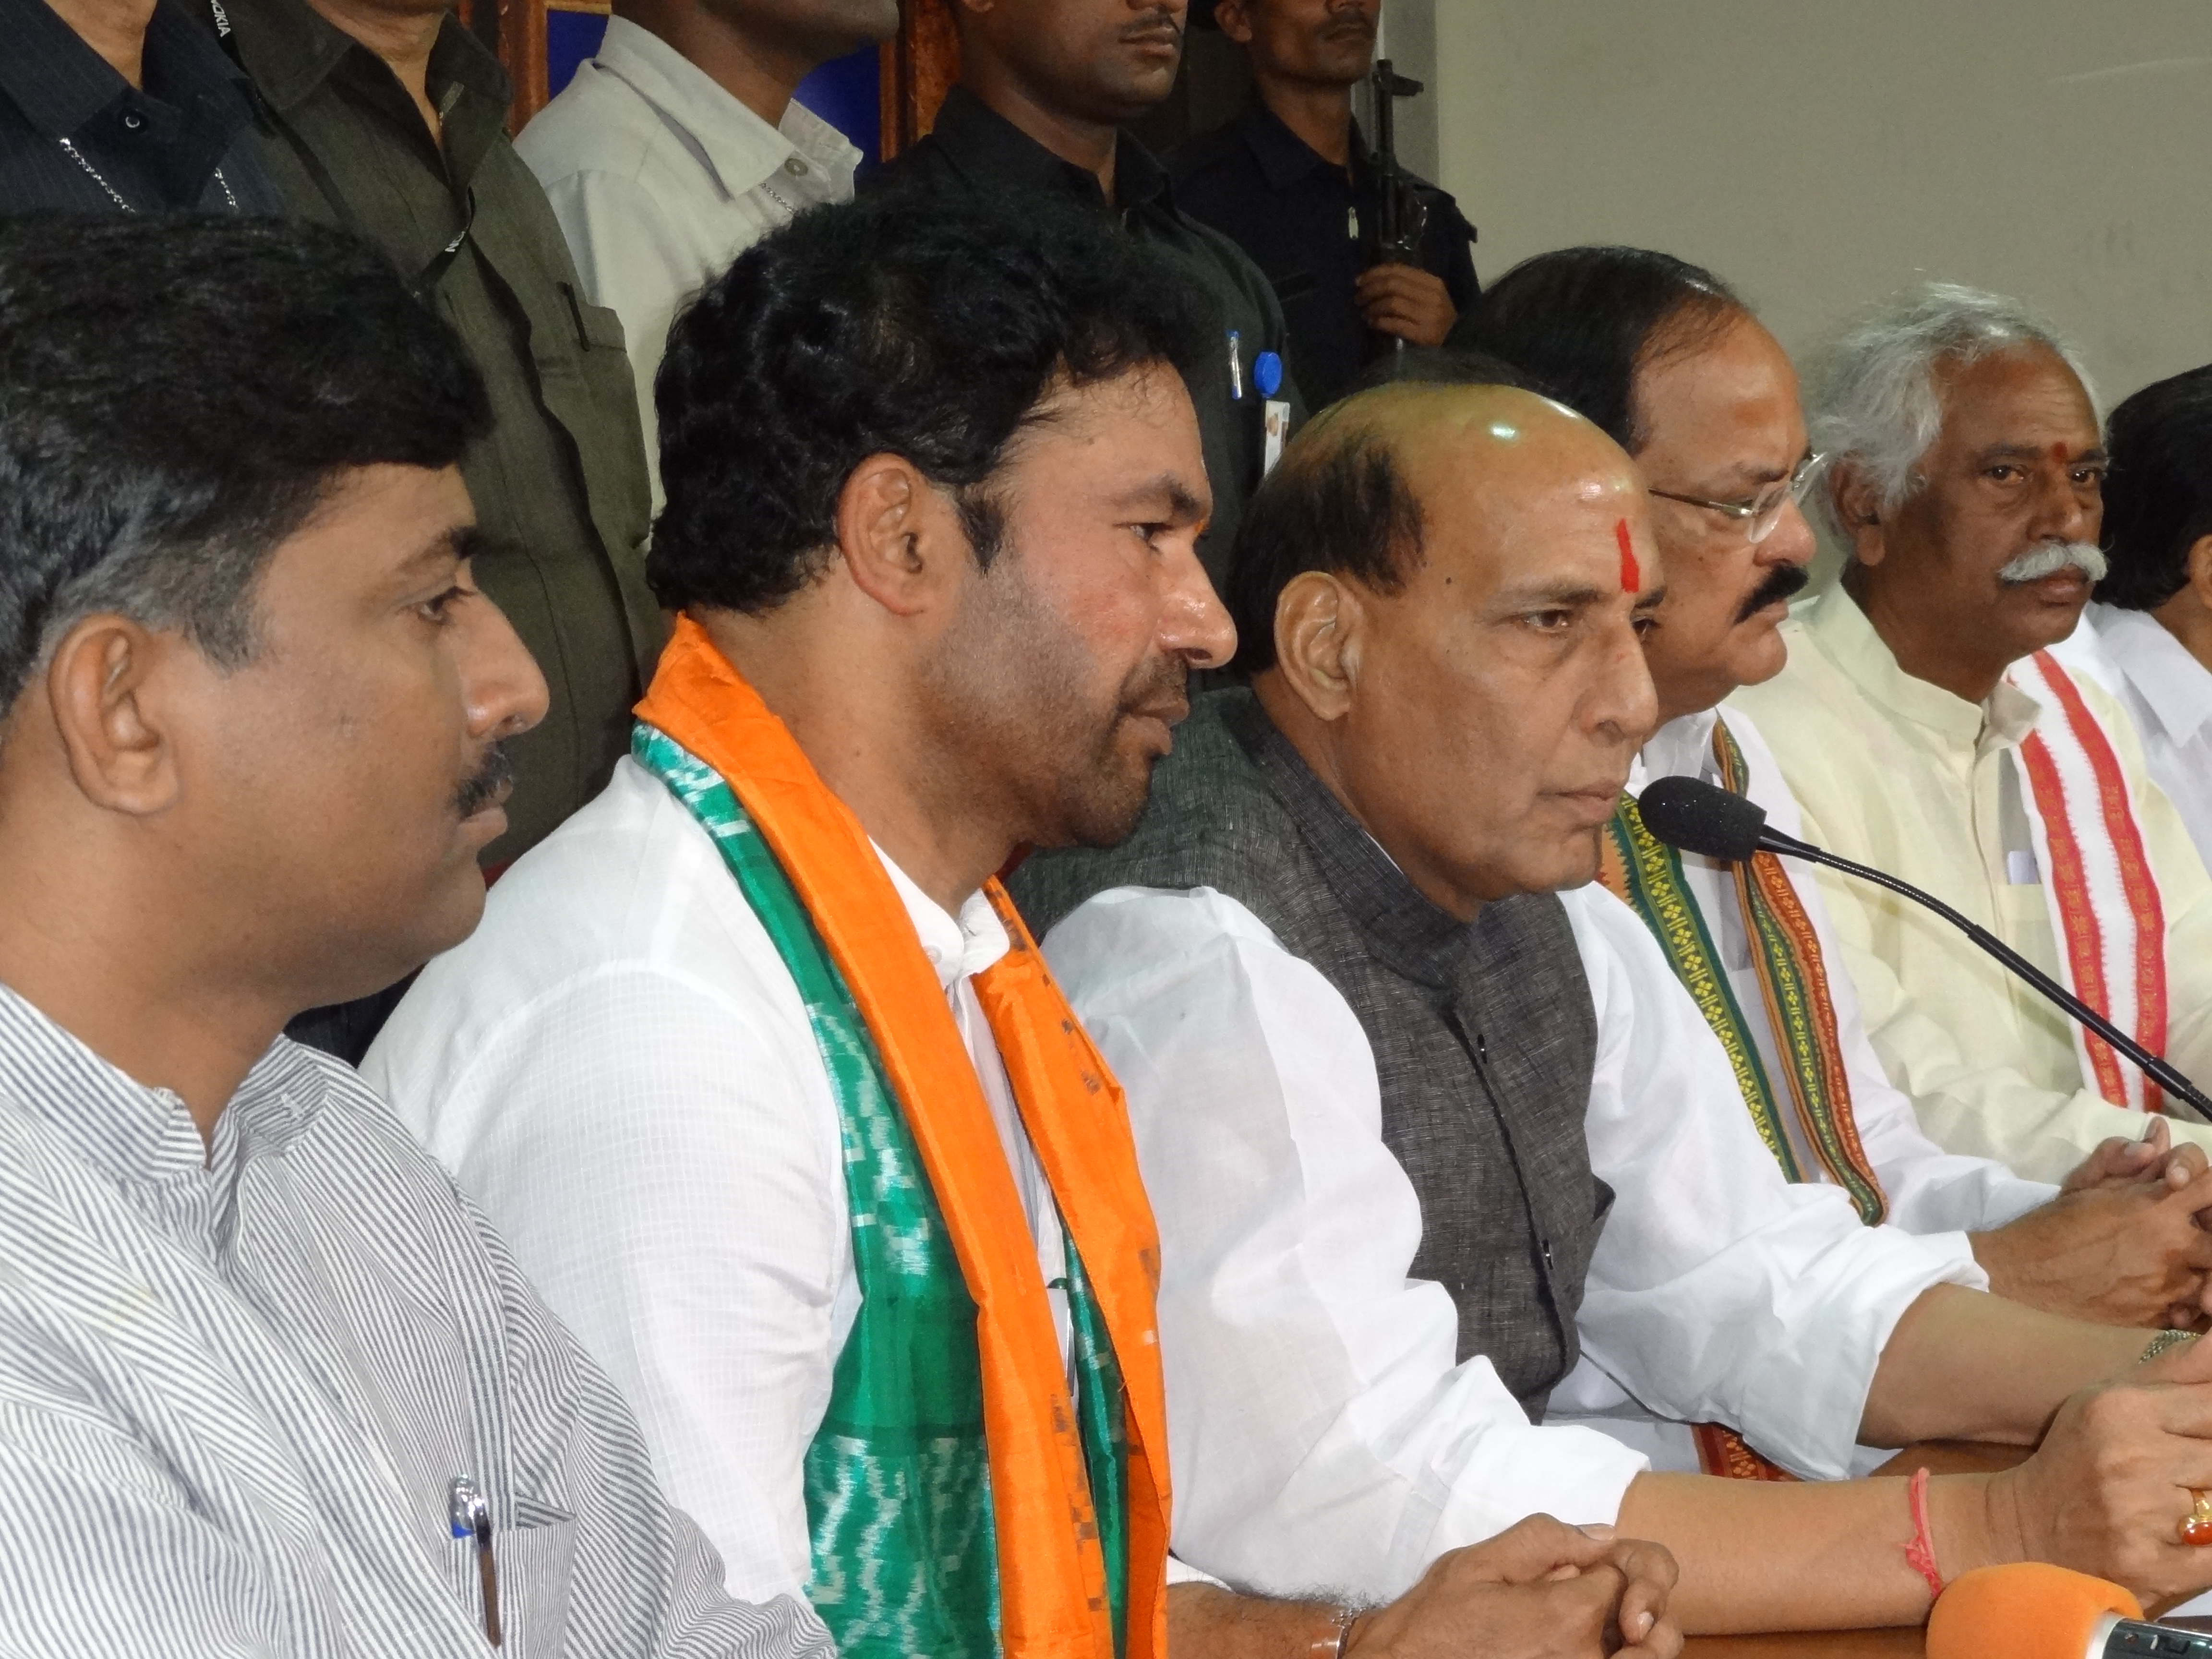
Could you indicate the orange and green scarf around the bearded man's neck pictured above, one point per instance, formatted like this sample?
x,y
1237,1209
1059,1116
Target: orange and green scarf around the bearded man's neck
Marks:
x,y
963,1503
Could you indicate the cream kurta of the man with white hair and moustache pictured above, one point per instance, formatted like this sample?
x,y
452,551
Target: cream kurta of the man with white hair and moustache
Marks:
x,y
1912,780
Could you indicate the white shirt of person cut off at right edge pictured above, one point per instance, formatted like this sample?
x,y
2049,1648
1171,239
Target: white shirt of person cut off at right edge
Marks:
x,y
2167,693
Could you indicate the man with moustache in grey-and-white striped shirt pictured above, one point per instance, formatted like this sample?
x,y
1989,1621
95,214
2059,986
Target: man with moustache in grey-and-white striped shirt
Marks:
x,y
269,1386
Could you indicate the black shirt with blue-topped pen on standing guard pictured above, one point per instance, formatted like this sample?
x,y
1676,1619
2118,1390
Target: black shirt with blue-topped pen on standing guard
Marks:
x,y
979,149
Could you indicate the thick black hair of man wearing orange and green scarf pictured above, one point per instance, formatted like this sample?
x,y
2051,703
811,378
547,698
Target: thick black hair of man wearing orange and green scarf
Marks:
x,y
899,324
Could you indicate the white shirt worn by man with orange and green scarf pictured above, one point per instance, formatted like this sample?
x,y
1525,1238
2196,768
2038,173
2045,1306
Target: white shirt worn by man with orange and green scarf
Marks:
x,y
620,1072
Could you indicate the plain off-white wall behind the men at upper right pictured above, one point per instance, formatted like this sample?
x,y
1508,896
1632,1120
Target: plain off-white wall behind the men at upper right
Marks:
x,y
1819,156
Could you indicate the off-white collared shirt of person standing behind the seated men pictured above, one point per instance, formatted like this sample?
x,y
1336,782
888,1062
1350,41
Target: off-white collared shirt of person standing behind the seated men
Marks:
x,y
660,180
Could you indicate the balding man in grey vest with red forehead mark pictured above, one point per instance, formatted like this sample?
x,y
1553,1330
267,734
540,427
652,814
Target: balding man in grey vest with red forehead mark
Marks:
x,y
1421,1127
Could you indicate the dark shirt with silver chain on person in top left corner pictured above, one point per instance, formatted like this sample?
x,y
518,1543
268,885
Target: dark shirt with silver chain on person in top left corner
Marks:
x,y
67,116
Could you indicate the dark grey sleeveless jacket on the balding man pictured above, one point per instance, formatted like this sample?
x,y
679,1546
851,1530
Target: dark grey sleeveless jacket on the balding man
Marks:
x,y
1483,1034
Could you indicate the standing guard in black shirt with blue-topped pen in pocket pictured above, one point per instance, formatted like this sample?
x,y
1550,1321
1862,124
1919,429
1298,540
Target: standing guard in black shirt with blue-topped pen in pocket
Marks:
x,y
1045,87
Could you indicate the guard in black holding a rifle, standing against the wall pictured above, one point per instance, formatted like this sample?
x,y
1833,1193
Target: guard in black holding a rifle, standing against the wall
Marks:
x,y
1295,185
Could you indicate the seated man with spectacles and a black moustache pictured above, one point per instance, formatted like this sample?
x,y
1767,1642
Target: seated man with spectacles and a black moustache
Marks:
x,y
1700,393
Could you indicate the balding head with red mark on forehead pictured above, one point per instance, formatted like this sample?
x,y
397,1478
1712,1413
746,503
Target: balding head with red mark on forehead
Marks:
x,y
1459,578
